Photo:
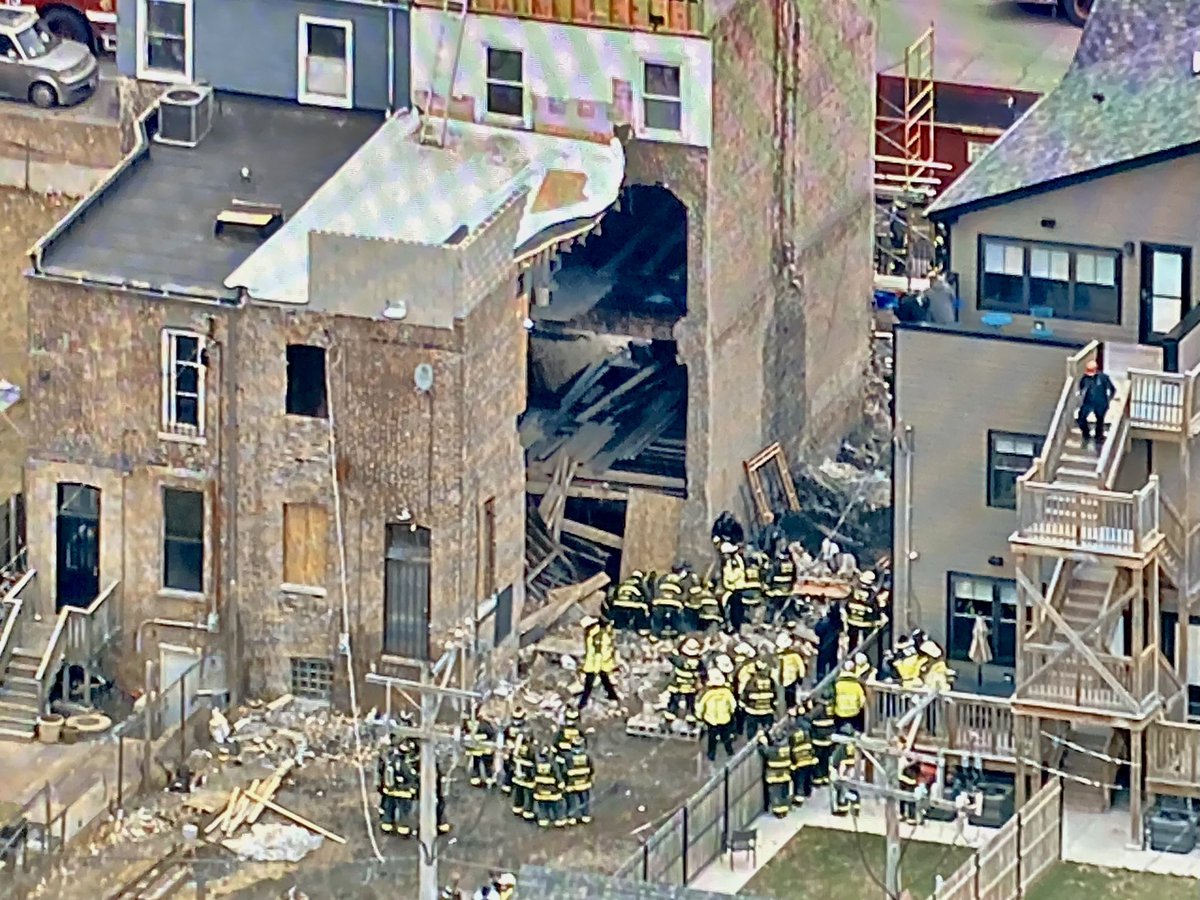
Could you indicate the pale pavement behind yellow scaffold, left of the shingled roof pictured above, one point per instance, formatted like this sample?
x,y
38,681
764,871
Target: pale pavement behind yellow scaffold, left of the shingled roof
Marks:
x,y
993,44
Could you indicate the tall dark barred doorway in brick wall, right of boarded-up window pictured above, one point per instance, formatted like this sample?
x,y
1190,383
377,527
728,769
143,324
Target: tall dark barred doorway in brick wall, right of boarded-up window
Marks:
x,y
406,607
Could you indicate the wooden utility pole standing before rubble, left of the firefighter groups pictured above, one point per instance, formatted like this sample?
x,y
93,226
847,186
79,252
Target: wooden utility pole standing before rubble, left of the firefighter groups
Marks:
x,y
431,693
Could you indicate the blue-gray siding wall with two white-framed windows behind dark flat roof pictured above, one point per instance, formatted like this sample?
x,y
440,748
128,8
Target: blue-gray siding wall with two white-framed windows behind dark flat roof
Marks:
x,y
350,55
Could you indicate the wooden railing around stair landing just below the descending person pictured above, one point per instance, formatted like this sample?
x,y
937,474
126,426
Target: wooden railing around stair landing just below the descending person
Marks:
x,y
1071,518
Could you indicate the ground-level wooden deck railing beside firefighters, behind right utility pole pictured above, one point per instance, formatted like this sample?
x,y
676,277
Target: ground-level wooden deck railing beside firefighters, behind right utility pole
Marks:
x,y
969,723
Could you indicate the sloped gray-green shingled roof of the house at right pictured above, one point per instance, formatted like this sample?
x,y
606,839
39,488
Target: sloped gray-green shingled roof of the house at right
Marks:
x,y
1131,95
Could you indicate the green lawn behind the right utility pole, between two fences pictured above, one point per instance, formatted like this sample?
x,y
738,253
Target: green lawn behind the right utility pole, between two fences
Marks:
x,y
823,865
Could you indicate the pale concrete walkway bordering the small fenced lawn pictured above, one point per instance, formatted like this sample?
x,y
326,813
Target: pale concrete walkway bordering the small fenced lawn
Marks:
x,y
775,835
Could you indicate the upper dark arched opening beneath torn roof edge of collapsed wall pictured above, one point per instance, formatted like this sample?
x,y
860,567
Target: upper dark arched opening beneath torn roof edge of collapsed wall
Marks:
x,y
635,262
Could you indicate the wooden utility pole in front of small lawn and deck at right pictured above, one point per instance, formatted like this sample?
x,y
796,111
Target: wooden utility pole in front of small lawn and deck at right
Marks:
x,y
887,755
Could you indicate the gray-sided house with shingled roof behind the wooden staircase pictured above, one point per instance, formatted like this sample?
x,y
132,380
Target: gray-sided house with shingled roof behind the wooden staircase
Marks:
x,y
1078,230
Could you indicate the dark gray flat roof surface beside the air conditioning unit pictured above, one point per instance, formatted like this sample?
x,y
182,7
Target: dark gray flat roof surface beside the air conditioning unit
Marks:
x,y
152,225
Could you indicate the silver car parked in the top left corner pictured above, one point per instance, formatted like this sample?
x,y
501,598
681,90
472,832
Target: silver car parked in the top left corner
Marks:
x,y
40,68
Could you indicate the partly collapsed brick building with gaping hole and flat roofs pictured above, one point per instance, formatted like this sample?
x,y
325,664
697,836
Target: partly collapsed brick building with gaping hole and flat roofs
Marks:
x,y
278,371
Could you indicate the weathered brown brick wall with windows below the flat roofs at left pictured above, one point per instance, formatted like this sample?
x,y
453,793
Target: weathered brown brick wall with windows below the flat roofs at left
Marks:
x,y
95,399
